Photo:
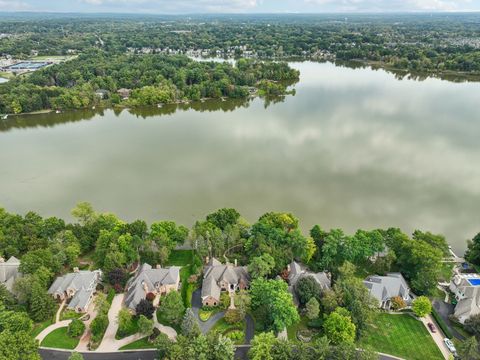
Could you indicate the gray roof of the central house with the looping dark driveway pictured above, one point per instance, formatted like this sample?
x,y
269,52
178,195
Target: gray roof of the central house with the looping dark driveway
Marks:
x,y
215,272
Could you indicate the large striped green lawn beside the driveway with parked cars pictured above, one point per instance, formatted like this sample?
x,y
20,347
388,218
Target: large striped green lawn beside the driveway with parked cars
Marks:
x,y
401,335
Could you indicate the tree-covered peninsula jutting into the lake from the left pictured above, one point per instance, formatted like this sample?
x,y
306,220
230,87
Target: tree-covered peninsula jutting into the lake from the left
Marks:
x,y
150,79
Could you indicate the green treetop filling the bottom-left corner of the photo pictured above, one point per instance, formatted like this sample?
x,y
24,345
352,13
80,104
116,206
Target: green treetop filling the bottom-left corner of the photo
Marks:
x,y
18,346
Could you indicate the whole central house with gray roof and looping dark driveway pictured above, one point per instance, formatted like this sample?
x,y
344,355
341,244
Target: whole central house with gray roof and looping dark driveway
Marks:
x,y
218,277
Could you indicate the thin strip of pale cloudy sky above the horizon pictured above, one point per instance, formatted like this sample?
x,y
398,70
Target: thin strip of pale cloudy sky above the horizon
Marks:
x,y
238,6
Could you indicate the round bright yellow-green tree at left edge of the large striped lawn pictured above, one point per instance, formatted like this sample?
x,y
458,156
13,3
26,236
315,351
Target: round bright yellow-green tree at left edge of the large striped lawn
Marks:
x,y
339,328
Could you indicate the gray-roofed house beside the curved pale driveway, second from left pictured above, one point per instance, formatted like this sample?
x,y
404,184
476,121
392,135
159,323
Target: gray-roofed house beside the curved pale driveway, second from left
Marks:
x,y
78,286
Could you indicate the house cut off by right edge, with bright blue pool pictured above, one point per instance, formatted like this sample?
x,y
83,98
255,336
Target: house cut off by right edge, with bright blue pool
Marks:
x,y
466,288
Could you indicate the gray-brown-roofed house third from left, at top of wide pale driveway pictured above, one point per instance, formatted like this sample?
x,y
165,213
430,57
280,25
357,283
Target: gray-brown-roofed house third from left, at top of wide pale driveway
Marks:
x,y
147,280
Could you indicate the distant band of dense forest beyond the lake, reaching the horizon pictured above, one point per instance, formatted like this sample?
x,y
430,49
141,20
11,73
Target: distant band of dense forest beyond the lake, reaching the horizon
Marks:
x,y
421,42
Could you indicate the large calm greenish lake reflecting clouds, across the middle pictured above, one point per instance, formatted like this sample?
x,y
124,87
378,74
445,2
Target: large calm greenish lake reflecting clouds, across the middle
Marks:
x,y
352,149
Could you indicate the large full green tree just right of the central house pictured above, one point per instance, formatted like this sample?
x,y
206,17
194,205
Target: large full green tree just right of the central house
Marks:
x,y
271,299
